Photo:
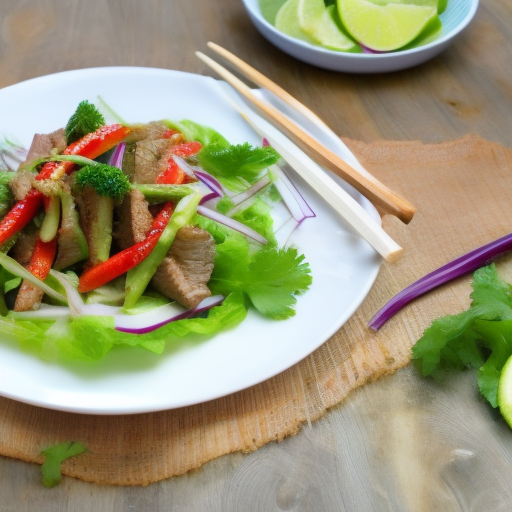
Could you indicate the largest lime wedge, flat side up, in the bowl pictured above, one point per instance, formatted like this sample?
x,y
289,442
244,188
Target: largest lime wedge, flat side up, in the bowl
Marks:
x,y
384,27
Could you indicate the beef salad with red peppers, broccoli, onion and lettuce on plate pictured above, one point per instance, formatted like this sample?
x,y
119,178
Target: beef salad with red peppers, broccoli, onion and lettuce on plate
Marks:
x,y
141,235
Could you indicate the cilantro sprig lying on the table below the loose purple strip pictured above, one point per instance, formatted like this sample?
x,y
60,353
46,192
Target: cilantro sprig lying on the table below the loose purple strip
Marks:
x,y
480,337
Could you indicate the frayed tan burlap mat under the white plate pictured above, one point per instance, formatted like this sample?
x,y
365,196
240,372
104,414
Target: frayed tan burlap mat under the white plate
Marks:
x,y
462,192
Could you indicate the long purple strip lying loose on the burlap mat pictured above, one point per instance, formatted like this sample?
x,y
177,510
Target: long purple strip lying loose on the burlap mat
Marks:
x,y
461,266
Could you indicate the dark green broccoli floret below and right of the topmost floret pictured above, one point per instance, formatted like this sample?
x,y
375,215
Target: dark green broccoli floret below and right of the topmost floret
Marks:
x,y
105,179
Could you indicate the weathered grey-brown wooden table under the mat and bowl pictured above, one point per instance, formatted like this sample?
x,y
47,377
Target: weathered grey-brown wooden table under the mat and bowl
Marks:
x,y
451,453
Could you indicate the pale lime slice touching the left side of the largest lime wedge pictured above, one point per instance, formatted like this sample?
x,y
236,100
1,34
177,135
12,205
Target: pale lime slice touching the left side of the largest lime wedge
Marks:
x,y
319,23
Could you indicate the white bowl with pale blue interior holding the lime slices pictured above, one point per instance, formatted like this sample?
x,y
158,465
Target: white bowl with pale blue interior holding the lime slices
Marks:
x,y
456,17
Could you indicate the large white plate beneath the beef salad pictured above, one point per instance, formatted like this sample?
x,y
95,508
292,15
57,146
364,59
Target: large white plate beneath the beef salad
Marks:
x,y
134,381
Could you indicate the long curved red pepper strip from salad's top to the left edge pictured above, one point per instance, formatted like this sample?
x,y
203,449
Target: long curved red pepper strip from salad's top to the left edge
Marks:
x,y
91,146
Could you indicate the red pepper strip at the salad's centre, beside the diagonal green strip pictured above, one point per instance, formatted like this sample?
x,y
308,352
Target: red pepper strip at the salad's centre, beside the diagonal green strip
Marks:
x,y
123,261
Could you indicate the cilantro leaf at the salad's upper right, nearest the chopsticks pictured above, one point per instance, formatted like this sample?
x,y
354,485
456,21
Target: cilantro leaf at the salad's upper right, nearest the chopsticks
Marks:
x,y
237,166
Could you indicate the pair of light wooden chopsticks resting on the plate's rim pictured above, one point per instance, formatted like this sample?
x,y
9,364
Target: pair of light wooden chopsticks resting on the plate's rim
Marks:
x,y
366,184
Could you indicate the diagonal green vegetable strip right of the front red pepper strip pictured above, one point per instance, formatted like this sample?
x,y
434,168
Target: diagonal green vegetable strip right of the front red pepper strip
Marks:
x,y
138,278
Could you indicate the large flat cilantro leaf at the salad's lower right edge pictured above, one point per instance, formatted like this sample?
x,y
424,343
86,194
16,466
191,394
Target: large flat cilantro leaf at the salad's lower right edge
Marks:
x,y
270,278
